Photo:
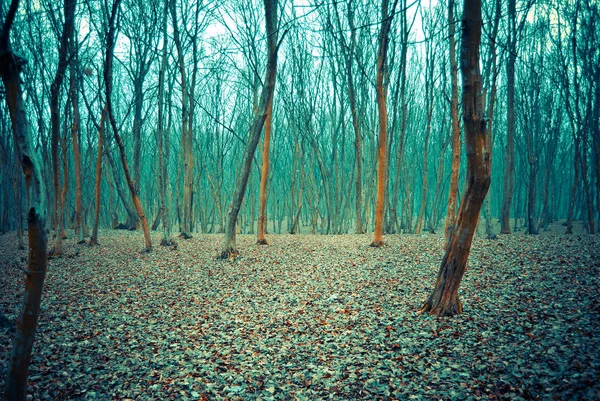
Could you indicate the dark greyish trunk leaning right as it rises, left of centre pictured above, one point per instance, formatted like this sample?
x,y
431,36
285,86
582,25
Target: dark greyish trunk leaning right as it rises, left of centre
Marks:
x,y
229,250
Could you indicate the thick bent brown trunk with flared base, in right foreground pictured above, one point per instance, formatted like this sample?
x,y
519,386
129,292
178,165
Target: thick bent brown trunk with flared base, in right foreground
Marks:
x,y
444,301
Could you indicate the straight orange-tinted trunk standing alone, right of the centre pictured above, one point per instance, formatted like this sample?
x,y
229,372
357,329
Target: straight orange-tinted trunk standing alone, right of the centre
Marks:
x,y
386,22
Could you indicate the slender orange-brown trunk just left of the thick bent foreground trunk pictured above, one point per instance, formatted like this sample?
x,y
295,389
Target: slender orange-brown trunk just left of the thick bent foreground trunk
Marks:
x,y
451,211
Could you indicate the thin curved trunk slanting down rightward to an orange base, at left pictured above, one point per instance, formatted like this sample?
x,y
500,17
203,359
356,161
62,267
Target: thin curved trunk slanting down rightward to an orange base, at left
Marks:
x,y
110,44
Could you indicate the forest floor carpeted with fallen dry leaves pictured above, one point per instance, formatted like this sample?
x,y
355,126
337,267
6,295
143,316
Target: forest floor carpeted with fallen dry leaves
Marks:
x,y
310,317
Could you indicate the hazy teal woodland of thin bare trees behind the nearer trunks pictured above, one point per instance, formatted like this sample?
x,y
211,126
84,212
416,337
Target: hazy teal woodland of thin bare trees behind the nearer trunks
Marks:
x,y
324,140
